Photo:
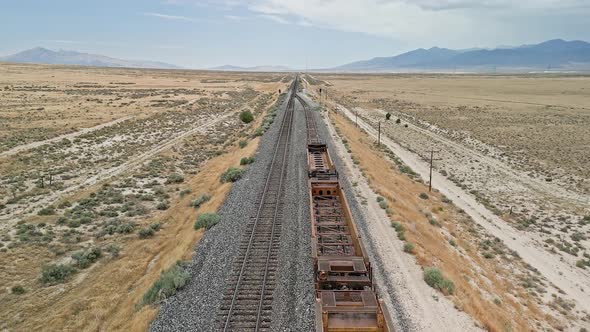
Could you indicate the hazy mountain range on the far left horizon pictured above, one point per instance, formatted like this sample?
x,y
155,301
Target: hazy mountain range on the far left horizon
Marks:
x,y
44,56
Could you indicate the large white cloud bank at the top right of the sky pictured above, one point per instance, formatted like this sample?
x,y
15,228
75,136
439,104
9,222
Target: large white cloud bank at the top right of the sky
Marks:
x,y
452,23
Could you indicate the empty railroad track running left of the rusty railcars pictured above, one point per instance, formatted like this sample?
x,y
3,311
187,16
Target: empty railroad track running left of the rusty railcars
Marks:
x,y
247,302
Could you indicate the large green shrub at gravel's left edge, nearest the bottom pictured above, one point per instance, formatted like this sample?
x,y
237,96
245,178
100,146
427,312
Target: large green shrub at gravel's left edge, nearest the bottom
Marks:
x,y
171,280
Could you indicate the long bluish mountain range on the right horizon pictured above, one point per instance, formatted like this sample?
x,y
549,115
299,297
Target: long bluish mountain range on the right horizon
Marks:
x,y
554,54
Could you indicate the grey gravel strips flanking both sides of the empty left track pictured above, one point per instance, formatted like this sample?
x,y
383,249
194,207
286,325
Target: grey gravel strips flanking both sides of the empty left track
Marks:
x,y
196,306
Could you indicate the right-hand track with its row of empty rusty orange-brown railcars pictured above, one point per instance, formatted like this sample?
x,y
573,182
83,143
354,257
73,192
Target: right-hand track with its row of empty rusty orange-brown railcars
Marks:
x,y
346,299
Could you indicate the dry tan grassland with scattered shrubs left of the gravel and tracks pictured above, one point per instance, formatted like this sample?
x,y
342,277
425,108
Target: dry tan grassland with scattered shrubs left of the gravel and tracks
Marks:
x,y
103,188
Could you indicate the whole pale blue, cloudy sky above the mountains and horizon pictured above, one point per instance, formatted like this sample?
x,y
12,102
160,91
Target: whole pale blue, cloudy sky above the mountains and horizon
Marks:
x,y
294,33
